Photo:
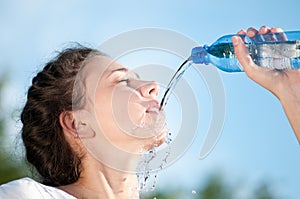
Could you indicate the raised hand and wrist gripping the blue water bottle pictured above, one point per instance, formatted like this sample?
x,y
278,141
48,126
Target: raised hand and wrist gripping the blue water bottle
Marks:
x,y
284,84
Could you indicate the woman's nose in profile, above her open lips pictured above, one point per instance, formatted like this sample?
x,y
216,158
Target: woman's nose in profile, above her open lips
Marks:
x,y
148,89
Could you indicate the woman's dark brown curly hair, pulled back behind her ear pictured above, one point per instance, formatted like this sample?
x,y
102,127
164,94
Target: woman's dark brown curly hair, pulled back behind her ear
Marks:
x,y
50,94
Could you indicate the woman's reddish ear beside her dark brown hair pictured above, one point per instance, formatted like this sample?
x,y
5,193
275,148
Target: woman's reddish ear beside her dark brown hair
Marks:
x,y
67,122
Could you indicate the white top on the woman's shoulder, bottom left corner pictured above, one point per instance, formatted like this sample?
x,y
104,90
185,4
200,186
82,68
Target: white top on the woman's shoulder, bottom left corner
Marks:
x,y
27,188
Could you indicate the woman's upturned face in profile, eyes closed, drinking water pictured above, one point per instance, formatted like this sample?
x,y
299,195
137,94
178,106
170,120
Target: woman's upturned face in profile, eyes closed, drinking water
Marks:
x,y
126,108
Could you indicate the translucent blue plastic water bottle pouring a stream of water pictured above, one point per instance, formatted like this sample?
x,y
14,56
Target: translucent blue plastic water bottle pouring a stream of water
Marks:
x,y
273,50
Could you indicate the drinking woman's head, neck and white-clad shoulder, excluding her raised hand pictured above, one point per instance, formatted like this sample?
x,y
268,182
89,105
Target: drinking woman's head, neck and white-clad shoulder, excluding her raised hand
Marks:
x,y
86,122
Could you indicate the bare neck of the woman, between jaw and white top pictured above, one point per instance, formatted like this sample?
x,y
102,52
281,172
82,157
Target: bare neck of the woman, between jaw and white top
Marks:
x,y
99,181
